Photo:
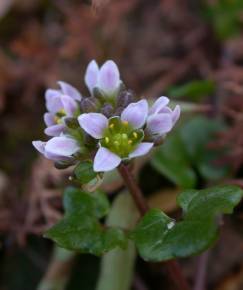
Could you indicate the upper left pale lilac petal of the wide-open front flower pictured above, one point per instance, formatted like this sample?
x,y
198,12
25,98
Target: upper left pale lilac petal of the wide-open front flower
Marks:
x,y
94,124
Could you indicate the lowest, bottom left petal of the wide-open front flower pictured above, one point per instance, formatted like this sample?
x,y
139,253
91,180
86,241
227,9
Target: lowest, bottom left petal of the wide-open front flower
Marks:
x,y
105,160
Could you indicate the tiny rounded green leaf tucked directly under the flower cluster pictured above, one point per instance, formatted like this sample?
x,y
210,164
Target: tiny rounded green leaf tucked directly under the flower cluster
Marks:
x,y
84,172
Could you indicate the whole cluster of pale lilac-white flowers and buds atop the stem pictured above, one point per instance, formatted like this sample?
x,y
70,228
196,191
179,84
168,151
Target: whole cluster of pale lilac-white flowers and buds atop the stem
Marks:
x,y
108,126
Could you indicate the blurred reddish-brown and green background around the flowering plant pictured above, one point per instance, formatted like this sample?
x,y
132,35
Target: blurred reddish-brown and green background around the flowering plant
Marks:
x,y
191,51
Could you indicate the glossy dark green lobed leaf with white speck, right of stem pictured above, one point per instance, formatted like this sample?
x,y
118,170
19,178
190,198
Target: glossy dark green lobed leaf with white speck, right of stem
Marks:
x,y
158,238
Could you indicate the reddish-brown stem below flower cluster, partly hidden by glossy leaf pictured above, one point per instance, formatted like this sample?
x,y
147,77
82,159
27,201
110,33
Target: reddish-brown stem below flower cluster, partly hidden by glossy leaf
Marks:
x,y
174,269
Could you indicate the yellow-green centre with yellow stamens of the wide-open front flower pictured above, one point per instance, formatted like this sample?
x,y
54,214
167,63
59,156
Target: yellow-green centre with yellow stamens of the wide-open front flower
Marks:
x,y
120,137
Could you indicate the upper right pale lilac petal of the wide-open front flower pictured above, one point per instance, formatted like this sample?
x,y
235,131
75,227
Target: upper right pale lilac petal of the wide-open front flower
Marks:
x,y
136,114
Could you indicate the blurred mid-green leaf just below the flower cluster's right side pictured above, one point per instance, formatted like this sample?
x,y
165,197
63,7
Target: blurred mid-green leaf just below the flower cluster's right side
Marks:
x,y
172,161
